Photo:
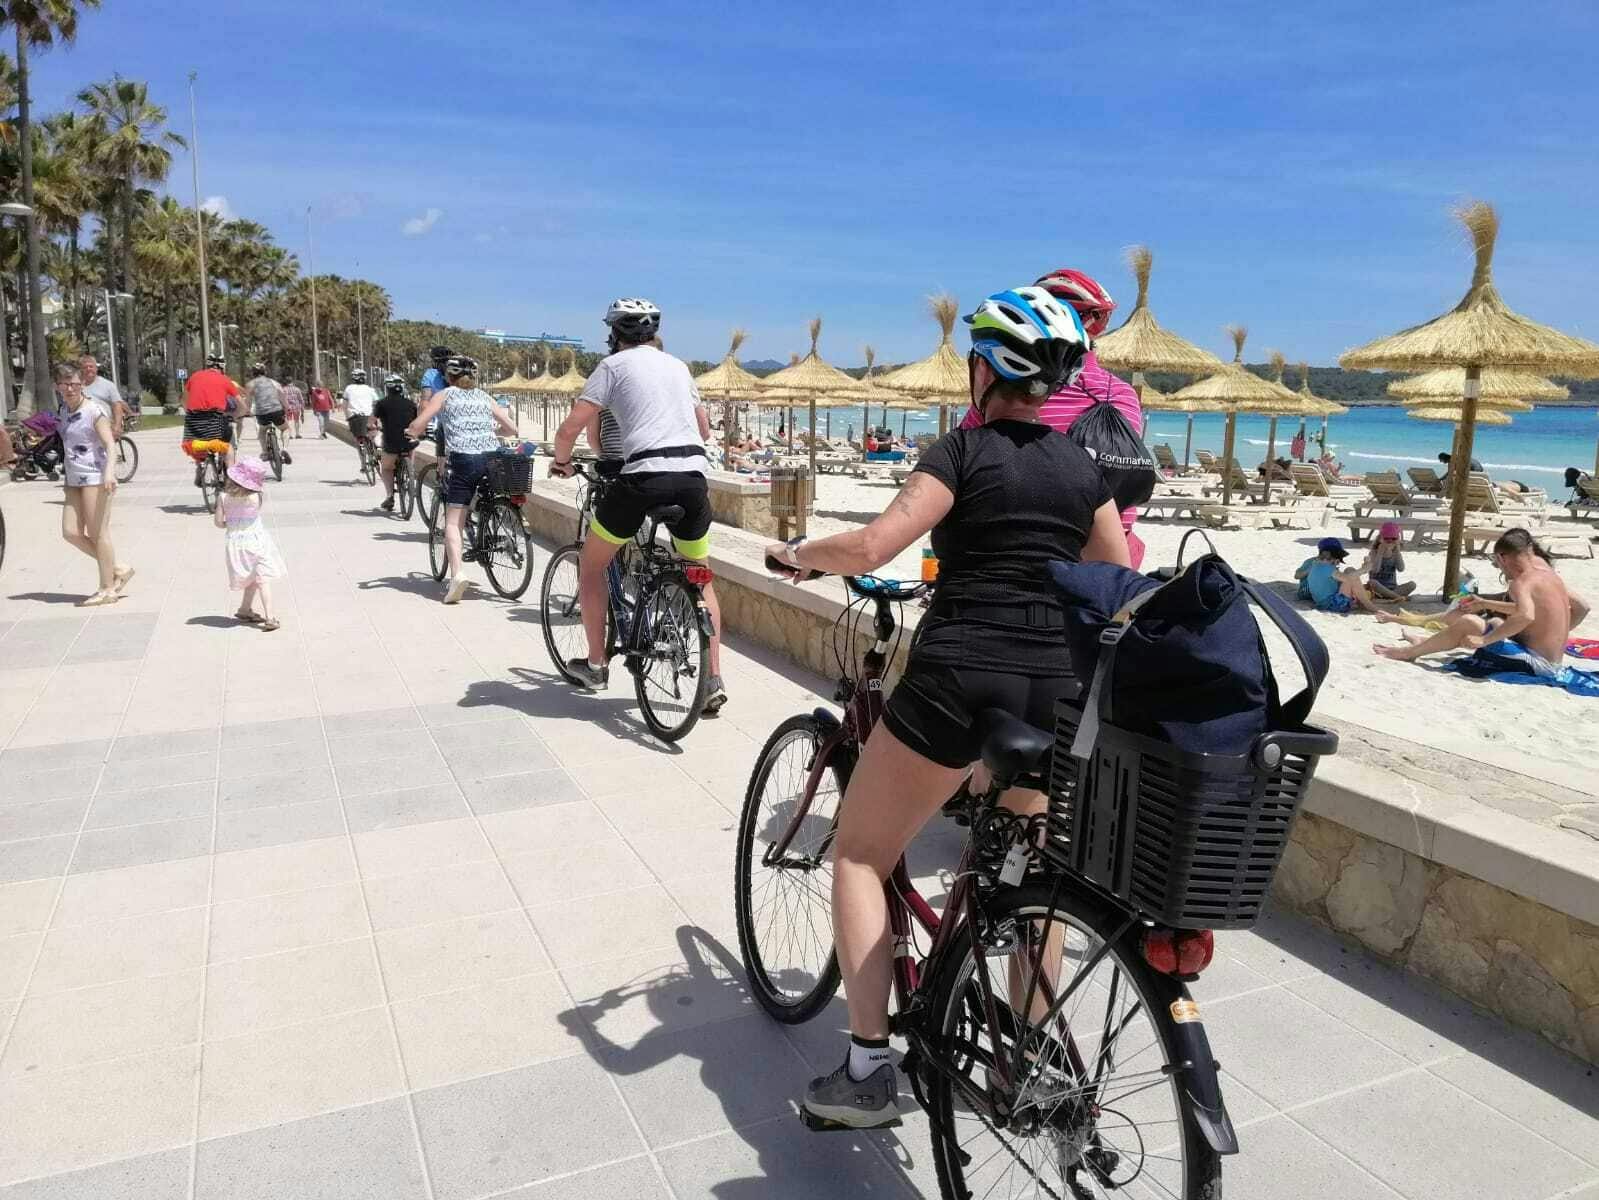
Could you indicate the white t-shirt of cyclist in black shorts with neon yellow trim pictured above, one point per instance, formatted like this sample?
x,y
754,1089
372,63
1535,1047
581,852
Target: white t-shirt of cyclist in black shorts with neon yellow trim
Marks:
x,y
655,404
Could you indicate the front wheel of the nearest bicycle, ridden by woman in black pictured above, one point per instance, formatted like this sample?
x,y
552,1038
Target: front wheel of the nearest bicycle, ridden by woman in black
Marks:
x,y
786,908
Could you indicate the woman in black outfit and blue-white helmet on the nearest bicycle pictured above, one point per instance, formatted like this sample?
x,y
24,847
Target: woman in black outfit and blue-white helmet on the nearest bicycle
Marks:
x,y
1000,502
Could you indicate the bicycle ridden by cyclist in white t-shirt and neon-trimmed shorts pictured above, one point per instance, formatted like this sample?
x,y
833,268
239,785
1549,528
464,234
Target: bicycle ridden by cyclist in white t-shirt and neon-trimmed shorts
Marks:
x,y
656,618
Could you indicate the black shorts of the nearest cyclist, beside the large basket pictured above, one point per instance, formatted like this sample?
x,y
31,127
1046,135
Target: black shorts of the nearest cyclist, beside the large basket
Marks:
x,y
935,710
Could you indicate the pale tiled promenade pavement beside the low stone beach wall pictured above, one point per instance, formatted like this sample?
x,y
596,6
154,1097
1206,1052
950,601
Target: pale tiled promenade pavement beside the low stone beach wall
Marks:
x,y
375,906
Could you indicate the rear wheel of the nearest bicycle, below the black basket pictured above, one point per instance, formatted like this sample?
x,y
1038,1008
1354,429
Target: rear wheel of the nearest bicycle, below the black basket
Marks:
x,y
1098,1108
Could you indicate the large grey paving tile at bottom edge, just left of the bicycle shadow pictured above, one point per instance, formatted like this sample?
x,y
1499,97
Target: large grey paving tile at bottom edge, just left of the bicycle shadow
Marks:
x,y
477,1134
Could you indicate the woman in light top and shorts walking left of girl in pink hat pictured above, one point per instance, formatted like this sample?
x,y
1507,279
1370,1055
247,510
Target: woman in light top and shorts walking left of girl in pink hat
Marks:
x,y
86,522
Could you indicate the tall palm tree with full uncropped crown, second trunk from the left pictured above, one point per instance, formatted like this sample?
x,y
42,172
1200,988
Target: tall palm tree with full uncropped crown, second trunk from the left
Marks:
x,y
134,148
